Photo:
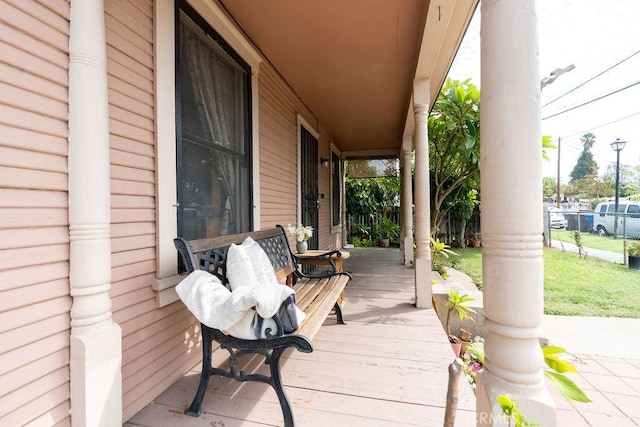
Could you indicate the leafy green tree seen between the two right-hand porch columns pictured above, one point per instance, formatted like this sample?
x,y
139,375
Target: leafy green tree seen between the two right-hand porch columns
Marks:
x,y
454,147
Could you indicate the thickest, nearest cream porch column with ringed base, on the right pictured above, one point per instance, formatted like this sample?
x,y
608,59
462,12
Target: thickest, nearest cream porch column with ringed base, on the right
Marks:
x,y
511,184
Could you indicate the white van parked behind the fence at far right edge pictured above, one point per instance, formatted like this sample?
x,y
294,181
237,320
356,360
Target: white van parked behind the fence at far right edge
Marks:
x,y
628,219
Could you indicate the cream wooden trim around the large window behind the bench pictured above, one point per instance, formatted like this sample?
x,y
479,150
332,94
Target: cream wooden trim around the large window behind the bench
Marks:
x,y
165,119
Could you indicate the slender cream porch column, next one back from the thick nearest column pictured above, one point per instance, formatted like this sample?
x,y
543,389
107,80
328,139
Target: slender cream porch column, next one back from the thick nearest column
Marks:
x,y
422,194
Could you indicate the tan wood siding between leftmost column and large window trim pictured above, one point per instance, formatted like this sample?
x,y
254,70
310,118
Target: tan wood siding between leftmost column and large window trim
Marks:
x,y
155,341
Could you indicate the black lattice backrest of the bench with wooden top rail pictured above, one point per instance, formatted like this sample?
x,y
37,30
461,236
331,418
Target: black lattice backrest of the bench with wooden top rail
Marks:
x,y
211,254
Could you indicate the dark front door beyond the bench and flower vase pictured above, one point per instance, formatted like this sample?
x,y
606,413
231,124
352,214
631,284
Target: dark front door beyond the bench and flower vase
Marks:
x,y
309,183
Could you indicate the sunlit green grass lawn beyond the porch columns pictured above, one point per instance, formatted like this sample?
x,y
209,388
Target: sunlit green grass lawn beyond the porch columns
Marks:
x,y
574,286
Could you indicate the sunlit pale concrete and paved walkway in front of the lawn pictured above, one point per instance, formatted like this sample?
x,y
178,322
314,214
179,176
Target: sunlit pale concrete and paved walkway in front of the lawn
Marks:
x,y
606,353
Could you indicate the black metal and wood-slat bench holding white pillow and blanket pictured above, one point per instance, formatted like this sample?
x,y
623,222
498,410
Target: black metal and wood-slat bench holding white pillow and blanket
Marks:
x,y
317,295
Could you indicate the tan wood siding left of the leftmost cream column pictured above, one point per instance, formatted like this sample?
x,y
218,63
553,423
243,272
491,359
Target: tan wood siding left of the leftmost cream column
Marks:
x,y
34,236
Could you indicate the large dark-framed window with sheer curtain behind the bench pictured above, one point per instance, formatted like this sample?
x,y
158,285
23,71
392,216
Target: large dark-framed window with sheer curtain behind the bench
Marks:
x,y
213,133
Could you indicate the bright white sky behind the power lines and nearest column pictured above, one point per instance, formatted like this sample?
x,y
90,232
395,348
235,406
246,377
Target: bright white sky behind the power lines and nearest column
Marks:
x,y
594,35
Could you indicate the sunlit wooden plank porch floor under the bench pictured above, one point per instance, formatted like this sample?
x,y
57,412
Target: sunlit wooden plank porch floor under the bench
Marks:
x,y
386,367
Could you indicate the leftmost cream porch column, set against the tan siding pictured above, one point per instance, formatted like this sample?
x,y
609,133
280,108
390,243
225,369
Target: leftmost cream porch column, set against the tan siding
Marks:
x,y
96,379
